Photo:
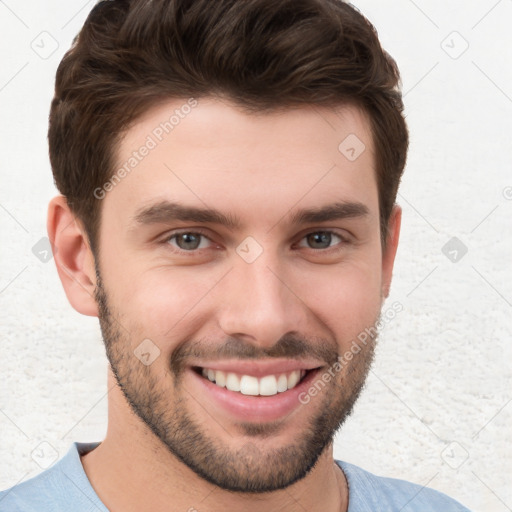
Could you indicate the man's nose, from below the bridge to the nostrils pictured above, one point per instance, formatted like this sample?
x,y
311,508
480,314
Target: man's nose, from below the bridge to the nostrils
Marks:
x,y
259,303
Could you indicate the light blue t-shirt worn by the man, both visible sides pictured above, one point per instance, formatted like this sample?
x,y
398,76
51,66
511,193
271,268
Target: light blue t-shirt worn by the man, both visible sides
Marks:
x,y
64,487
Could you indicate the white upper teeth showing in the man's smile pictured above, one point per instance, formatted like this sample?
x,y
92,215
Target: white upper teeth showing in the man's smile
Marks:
x,y
249,385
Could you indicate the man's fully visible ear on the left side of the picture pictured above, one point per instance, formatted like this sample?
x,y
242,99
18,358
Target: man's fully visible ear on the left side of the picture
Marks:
x,y
73,256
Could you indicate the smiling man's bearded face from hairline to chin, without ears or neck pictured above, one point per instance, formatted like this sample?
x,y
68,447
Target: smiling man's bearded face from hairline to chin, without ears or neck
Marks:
x,y
279,292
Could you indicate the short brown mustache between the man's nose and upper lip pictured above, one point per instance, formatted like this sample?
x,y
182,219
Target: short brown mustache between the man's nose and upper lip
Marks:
x,y
290,346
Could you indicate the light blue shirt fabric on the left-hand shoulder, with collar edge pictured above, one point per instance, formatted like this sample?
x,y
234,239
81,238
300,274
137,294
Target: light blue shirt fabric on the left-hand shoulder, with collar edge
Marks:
x,y
55,488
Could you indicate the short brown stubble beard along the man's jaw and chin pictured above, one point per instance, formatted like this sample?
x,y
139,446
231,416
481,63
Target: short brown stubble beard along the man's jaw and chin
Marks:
x,y
248,467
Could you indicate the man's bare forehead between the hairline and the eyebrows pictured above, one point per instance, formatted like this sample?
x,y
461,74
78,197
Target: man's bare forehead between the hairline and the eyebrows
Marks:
x,y
260,166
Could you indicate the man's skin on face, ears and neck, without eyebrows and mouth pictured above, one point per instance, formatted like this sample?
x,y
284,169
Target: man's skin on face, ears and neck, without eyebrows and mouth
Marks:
x,y
260,169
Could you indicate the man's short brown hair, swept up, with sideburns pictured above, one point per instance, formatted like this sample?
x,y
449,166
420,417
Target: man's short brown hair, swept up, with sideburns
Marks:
x,y
262,54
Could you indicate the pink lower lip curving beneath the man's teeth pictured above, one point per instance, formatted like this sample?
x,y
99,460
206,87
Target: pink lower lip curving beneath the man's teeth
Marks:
x,y
255,408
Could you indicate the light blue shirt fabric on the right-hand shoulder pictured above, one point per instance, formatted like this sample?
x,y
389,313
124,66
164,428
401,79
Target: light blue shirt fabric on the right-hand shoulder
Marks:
x,y
369,492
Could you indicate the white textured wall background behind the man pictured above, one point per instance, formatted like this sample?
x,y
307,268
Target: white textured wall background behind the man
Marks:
x,y
437,407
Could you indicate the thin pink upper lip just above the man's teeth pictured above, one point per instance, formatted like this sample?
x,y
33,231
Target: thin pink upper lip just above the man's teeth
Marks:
x,y
259,368
